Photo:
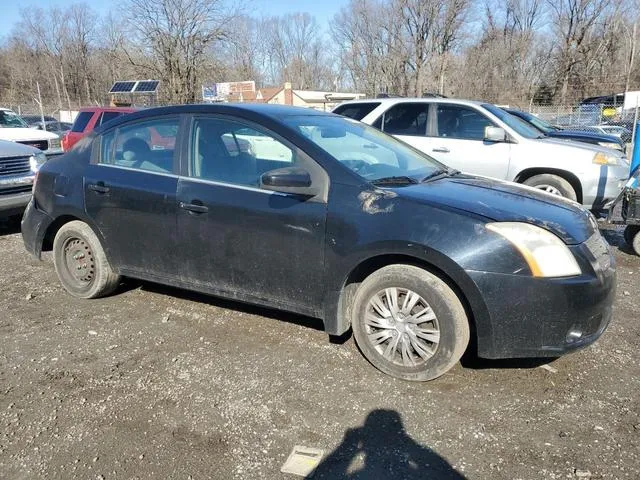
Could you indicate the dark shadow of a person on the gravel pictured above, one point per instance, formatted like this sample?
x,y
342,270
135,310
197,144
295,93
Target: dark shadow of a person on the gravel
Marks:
x,y
382,449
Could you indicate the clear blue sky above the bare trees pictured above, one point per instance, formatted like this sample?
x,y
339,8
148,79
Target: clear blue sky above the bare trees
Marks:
x,y
323,10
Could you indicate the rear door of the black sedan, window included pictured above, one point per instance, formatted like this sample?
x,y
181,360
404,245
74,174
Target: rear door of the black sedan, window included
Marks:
x,y
130,193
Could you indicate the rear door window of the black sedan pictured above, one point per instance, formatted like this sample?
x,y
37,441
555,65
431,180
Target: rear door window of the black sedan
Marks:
x,y
147,145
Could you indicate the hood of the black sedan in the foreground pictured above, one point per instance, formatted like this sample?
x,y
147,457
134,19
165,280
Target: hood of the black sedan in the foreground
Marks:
x,y
505,202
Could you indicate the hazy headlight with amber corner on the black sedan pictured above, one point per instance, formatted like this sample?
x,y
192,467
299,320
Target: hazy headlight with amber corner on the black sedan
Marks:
x,y
545,253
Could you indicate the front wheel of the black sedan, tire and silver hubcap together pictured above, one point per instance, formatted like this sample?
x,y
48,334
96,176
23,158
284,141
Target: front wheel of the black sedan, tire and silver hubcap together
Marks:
x,y
409,323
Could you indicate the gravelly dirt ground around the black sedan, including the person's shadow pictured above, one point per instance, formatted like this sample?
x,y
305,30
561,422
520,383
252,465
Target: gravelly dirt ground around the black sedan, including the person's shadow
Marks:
x,y
160,383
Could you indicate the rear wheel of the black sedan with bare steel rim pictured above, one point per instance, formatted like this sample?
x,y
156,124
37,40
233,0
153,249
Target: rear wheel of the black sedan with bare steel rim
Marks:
x,y
81,263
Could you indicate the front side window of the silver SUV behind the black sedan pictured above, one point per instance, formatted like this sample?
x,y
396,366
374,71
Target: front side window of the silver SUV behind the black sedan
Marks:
x,y
458,121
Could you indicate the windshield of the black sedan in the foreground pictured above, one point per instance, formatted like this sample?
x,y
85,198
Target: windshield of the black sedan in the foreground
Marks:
x,y
373,155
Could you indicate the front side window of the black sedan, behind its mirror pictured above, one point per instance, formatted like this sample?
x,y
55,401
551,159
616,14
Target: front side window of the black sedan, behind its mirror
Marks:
x,y
233,152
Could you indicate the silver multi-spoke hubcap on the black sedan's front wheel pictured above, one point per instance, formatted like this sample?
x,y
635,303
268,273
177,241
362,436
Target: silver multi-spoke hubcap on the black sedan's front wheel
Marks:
x,y
402,327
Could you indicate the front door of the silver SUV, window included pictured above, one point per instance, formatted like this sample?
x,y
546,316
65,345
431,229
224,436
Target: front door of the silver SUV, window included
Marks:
x,y
456,138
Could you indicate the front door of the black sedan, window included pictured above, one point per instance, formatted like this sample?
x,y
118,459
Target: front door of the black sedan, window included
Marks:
x,y
238,238
